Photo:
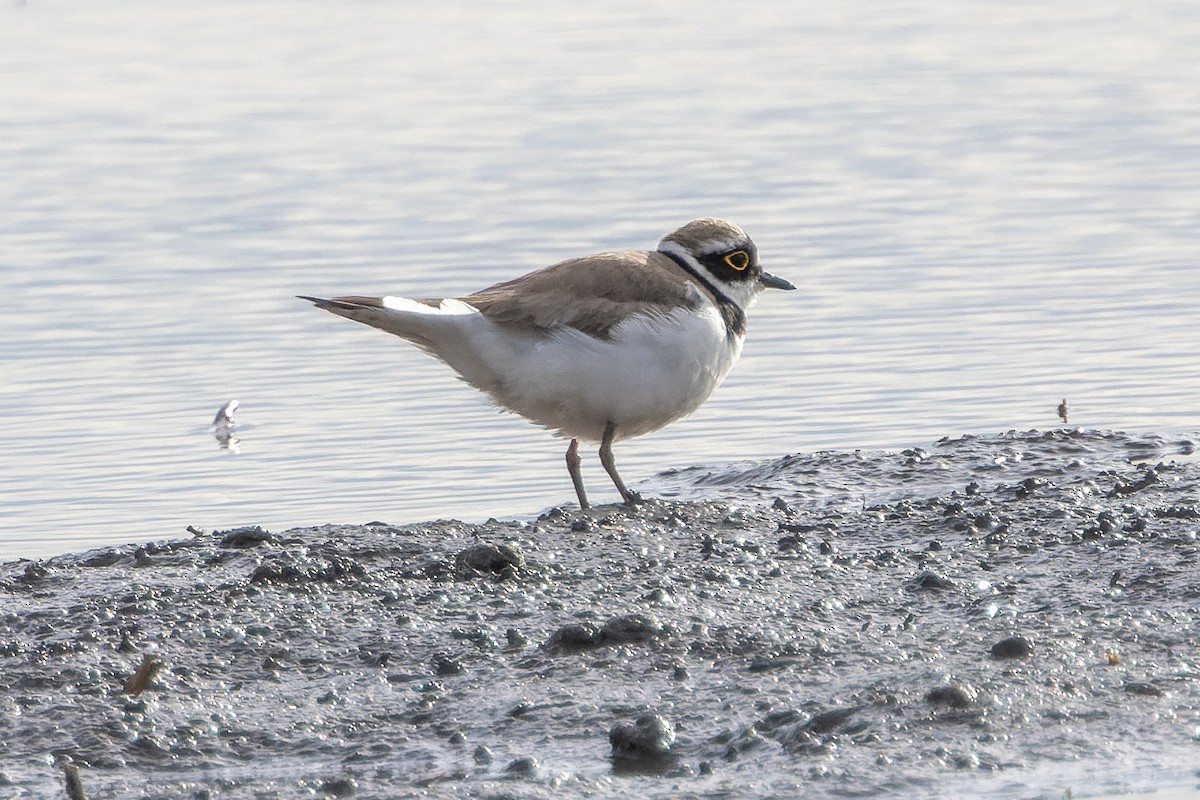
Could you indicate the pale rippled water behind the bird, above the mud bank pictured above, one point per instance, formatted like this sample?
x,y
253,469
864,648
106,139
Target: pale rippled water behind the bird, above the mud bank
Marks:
x,y
987,209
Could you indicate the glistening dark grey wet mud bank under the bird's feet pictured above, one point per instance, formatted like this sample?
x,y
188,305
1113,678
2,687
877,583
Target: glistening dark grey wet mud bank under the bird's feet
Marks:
x,y
1012,617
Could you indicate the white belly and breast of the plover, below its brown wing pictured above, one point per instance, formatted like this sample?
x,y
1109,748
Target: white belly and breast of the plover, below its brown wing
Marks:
x,y
650,372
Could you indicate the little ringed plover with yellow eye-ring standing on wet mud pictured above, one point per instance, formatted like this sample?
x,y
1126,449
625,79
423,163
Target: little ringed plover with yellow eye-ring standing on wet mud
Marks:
x,y
601,348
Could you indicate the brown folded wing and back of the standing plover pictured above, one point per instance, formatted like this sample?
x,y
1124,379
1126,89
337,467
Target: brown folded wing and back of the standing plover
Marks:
x,y
591,294
